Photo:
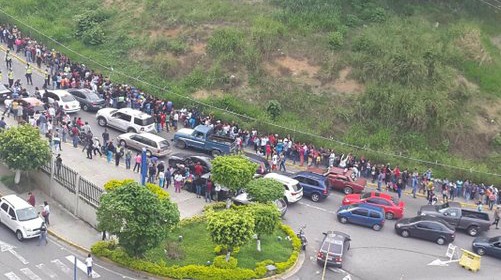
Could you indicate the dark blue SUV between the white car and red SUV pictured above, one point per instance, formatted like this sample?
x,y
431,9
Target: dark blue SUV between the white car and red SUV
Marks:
x,y
314,185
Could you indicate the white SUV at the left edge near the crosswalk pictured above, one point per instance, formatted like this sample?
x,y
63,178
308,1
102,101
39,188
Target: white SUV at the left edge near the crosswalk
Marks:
x,y
19,216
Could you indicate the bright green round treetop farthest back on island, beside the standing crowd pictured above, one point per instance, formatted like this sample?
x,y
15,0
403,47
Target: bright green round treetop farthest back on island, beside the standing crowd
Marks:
x,y
233,172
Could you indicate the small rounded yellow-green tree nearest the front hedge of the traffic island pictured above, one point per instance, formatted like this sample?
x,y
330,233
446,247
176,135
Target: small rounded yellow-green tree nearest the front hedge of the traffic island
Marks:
x,y
230,228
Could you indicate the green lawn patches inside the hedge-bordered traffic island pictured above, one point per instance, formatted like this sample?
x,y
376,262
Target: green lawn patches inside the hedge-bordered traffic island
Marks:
x,y
197,248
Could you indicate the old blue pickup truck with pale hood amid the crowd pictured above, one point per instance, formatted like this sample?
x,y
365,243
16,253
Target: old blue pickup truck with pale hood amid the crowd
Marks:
x,y
203,138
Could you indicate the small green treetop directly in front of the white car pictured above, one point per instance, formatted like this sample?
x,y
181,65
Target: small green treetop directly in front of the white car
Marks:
x,y
264,190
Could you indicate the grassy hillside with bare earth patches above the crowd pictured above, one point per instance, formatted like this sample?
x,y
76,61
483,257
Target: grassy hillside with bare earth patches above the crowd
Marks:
x,y
416,78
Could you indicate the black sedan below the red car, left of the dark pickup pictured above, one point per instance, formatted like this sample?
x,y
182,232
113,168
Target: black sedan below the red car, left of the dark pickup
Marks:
x,y
426,227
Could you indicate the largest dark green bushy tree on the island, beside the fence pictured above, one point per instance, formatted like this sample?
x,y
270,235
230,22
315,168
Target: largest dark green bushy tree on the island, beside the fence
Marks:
x,y
137,216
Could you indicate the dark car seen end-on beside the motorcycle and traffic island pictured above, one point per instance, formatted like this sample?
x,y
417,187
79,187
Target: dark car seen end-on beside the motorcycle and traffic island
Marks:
x,y
333,248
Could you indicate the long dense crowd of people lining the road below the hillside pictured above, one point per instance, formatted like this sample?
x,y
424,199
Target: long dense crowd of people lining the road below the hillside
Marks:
x,y
60,73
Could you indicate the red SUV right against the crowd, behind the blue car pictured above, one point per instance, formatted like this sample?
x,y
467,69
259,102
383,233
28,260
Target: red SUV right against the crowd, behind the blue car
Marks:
x,y
342,179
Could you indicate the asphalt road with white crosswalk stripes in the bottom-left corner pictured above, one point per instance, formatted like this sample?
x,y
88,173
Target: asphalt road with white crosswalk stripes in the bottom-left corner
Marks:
x,y
27,260
